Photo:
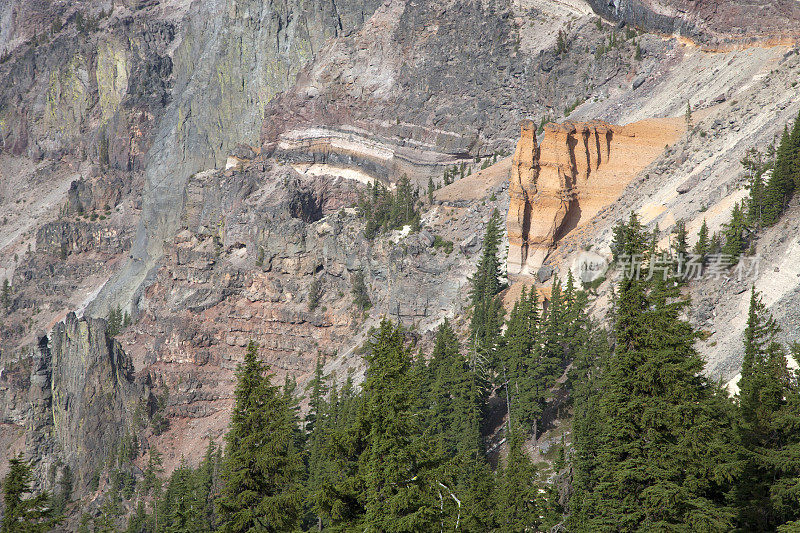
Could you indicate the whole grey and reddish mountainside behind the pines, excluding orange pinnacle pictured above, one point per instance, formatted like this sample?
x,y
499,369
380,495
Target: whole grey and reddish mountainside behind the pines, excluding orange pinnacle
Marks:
x,y
116,132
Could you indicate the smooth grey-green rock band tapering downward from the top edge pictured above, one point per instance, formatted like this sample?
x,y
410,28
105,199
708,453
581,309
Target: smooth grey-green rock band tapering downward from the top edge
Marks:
x,y
228,62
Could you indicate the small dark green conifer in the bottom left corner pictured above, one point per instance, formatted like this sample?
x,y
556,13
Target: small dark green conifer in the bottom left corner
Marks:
x,y
24,512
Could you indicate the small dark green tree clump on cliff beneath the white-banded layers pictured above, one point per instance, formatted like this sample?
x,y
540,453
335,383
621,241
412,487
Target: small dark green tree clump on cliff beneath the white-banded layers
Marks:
x,y
385,210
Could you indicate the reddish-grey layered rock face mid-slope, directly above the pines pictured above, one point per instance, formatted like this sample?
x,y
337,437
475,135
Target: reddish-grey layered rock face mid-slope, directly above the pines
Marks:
x,y
252,242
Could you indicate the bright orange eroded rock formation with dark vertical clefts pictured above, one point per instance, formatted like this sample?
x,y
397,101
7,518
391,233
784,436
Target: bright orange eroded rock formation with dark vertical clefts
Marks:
x,y
580,168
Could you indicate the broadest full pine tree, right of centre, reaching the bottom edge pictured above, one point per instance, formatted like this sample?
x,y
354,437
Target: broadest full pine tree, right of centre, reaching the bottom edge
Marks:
x,y
664,438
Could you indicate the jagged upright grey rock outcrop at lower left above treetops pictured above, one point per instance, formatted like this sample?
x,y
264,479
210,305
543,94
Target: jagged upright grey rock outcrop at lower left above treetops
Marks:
x,y
75,395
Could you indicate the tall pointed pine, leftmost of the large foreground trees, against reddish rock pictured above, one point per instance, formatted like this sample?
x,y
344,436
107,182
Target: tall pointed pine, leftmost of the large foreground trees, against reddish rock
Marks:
x,y
262,469
